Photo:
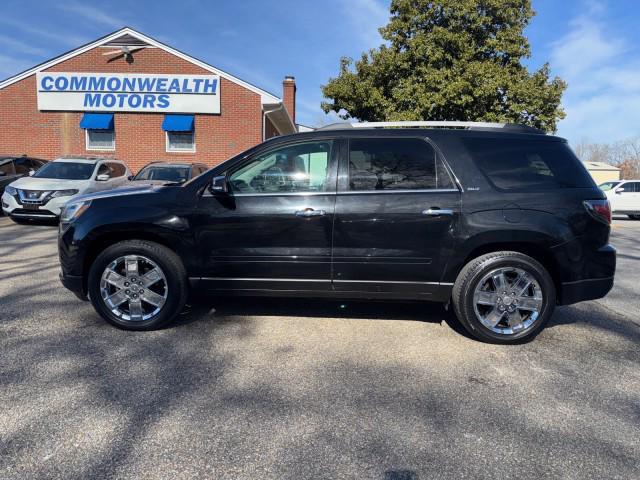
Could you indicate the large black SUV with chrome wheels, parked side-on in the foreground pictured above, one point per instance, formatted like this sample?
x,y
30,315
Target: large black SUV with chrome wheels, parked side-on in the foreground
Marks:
x,y
502,221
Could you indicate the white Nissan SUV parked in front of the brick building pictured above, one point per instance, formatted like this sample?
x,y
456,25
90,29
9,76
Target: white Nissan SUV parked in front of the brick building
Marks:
x,y
43,194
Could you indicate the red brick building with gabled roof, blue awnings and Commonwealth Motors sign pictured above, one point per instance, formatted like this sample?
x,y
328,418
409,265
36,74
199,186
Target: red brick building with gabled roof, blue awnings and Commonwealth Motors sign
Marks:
x,y
131,97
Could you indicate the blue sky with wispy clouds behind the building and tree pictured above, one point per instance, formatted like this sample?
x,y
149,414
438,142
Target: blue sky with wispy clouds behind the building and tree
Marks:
x,y
594,45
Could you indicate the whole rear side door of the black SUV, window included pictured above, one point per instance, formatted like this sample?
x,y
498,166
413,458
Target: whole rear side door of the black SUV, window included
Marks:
x,y
396,213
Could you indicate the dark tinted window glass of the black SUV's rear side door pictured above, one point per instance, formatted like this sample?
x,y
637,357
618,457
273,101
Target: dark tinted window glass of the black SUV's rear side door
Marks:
x,y
395,164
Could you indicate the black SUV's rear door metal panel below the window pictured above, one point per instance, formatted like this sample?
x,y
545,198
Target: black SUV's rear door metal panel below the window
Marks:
x,y
384,242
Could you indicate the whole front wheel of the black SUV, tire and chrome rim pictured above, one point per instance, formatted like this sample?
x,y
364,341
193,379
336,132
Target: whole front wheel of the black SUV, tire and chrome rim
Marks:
x,y
137,285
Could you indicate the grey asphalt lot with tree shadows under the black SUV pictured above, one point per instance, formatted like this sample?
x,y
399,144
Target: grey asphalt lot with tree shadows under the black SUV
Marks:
x,y
306,389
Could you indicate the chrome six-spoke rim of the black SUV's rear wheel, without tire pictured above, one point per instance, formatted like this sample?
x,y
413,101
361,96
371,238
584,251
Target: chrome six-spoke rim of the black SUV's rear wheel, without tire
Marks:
x,y
508,300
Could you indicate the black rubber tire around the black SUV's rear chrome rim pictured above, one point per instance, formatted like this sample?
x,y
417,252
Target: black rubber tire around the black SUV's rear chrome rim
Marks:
x,y
473,273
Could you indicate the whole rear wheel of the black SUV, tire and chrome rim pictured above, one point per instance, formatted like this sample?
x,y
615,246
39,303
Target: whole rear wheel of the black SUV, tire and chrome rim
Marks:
x,y
504,297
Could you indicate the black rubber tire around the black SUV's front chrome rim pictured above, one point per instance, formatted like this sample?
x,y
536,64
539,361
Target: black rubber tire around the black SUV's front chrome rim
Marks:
x,y
166,259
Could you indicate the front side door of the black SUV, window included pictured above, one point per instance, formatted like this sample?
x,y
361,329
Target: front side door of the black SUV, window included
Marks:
x,y
274,230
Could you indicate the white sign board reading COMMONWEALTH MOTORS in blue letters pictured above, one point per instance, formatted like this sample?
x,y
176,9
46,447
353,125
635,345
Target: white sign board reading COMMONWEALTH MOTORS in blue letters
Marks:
x,y
128,92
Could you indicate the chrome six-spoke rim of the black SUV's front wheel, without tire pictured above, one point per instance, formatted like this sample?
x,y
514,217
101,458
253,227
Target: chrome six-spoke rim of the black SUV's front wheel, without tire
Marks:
x,y
134,288
